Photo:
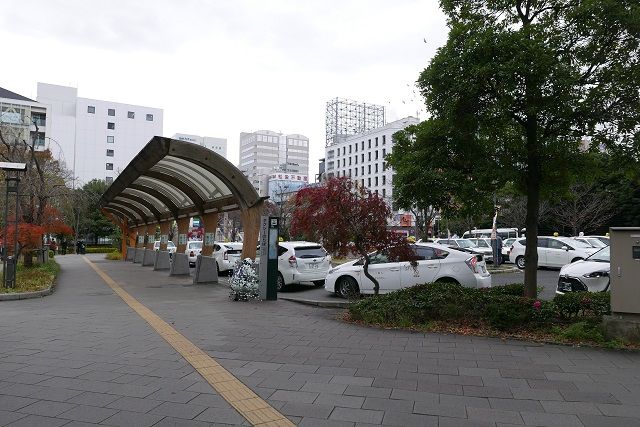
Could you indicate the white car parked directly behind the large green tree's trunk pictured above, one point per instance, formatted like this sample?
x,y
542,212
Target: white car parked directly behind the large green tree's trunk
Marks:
x,y
552,251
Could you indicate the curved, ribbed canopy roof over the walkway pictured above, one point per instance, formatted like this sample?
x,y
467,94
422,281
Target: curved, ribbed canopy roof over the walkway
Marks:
x,y
170,179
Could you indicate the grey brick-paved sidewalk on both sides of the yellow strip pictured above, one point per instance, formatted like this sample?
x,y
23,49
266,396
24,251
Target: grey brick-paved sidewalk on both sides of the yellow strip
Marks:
x,y
66,356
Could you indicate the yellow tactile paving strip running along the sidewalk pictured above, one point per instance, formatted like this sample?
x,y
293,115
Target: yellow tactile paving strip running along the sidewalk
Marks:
x,y
246,402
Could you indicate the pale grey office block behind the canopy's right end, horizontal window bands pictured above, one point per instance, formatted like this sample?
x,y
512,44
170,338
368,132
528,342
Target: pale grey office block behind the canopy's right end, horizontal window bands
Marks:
x,y
264,152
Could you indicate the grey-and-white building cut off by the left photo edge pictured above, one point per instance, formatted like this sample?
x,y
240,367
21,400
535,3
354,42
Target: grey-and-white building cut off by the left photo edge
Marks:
x,y
23,119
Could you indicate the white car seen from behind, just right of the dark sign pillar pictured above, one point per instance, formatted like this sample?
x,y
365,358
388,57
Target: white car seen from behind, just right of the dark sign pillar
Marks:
x,y
302,262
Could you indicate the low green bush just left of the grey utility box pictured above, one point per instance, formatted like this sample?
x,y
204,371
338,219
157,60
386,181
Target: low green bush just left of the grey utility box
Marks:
x,y
574,305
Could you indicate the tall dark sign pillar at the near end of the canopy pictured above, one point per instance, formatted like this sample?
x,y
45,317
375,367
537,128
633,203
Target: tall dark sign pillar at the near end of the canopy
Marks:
x,y
269,227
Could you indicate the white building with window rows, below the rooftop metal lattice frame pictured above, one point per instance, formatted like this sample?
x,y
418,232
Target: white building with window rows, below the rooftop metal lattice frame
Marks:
x,y
361,157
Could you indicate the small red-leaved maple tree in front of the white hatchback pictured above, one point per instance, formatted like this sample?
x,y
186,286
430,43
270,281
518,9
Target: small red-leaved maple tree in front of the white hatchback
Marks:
x,y
347,219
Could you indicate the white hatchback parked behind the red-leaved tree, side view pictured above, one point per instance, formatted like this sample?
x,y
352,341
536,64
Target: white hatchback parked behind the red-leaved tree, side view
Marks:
x,y
435,263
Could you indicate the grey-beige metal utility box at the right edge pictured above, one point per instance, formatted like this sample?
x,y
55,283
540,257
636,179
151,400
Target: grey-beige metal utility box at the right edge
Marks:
x,y
624,275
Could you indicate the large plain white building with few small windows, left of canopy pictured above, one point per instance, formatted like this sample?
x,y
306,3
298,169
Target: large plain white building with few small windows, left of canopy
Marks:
x,y
97,138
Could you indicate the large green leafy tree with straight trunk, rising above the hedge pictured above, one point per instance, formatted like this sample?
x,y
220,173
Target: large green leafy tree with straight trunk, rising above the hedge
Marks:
x,y
523,82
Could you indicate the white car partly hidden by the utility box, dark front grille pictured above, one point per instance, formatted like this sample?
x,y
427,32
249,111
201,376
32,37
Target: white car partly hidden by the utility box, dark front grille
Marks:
x,y
591,274
